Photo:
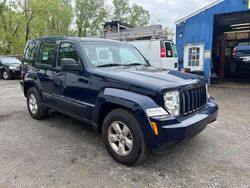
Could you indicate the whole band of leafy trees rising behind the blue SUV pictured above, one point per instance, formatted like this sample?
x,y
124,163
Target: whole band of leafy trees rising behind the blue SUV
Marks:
x,y
21,20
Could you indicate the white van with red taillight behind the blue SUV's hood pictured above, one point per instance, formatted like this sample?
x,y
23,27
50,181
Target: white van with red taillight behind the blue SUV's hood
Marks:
x,y
160,53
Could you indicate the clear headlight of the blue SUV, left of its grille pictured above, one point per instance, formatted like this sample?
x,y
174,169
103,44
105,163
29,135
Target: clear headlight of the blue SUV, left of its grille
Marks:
x,y
172,102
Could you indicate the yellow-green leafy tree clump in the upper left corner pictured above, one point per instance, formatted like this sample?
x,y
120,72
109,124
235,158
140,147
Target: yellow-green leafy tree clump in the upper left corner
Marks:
x,y
21,20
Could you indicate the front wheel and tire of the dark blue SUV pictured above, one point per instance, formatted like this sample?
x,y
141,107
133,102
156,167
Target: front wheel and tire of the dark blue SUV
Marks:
x,y
124,138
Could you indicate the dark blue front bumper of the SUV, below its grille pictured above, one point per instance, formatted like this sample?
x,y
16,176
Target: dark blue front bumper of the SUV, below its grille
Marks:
x,y
173,131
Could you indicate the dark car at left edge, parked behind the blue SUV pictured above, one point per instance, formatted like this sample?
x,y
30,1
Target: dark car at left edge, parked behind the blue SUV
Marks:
x,y
9,67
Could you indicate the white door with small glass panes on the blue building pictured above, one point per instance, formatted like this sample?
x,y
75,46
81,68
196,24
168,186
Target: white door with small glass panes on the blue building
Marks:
x,y
194,57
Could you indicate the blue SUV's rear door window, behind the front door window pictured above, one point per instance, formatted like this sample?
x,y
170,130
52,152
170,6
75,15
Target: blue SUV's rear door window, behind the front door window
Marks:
x,y
47,52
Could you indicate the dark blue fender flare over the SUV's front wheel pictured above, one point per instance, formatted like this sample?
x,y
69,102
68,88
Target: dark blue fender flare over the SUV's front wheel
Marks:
x,y
135,102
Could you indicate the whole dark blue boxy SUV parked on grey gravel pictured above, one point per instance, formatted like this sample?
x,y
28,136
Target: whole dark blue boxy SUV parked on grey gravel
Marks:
x,y
138,108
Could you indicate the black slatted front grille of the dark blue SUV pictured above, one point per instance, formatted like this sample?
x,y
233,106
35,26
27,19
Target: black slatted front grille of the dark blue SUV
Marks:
x,y
193,99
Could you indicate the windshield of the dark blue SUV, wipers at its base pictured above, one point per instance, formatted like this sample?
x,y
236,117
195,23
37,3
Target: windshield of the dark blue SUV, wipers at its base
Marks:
x,y
112,54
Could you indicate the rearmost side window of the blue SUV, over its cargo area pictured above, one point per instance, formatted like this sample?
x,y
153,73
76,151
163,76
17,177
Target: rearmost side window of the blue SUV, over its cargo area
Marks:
x,y
29,54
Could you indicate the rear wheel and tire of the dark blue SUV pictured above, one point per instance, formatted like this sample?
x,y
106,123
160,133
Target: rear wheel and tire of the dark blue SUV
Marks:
x,y
35,107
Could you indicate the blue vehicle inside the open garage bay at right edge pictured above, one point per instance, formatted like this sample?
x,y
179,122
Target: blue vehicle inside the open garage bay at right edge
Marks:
x,y
242,52
